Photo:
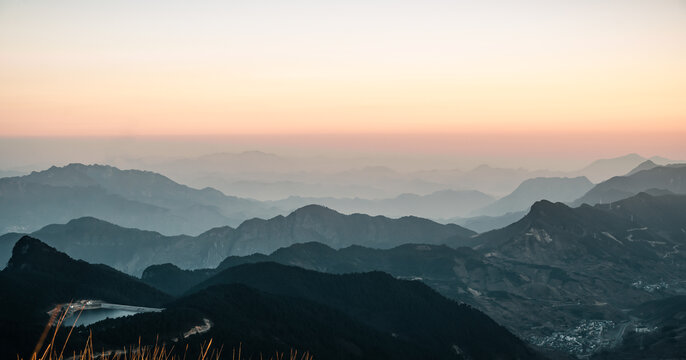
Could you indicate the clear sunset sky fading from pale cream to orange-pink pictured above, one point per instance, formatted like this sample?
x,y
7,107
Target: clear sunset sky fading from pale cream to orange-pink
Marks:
x,y
539,72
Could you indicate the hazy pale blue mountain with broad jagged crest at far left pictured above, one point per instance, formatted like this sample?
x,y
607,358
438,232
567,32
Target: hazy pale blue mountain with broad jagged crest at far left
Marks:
x,y
132,198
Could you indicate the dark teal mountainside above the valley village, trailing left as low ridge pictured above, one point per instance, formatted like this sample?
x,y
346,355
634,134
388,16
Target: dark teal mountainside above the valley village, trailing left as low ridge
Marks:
x,y
557,265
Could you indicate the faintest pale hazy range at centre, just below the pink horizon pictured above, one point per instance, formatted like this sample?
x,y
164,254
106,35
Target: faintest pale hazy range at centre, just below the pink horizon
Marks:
x,y
265,176
